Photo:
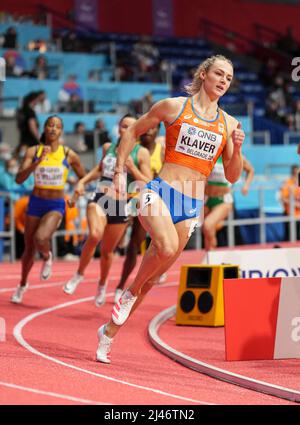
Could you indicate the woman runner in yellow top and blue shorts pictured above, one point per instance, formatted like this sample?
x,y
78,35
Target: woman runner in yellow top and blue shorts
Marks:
x,y
50,163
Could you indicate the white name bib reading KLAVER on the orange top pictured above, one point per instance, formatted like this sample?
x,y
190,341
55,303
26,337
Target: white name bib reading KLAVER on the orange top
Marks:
x,y
198,142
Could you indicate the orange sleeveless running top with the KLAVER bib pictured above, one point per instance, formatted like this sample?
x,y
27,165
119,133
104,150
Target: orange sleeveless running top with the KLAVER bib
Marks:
x,y
195,142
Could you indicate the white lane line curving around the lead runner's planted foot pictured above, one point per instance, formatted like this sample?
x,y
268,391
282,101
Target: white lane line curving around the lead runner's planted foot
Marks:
x,y
17,332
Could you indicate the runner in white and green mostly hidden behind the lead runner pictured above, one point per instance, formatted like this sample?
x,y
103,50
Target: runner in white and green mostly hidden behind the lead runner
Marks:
x,y
219,201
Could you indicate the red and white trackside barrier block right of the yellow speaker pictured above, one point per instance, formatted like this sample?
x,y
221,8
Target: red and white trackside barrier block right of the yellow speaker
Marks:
x,y
262,318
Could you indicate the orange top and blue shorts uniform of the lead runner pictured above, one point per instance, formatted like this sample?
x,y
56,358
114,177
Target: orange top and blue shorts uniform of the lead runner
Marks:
x,y
196,143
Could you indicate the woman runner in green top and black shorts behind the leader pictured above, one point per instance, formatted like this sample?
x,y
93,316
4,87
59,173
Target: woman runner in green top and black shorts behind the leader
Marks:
x,y
107,210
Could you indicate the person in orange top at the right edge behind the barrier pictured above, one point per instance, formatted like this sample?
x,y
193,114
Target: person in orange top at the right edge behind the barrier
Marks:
x,y
289,189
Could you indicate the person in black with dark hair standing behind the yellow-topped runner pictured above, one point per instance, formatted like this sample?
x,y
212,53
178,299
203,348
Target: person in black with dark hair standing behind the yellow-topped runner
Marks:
x,y
27,122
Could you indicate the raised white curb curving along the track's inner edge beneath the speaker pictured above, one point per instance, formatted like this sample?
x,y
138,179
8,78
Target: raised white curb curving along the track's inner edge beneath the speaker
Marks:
x,y
210,370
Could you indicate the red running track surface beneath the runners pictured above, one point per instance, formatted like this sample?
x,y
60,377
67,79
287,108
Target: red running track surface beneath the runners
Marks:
x,y
49,353
